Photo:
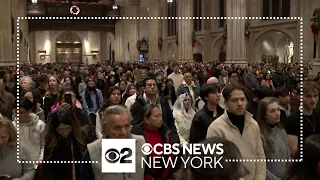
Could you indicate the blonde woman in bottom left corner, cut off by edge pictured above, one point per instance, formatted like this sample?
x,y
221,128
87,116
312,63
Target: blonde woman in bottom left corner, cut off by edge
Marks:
x,y
9,166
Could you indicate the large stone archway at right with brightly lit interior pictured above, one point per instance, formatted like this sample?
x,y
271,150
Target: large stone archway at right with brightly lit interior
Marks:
x,y
273,46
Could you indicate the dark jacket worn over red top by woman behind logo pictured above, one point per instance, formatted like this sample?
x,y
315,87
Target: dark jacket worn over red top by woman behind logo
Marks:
x,y
166,137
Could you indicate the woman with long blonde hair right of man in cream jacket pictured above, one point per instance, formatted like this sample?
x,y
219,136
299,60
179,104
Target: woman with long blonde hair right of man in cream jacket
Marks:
x,y
274,137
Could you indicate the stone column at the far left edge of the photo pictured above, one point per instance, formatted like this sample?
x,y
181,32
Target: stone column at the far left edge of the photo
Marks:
x,y
6,43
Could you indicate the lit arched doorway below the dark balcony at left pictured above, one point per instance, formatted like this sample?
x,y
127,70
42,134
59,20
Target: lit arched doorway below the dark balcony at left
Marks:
x,y
68,48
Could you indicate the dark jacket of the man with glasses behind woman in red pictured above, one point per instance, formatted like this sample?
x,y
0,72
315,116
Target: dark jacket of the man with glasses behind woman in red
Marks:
x,y
137,113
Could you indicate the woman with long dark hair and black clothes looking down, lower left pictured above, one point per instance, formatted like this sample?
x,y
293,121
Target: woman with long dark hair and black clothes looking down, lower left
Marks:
x,y
64,142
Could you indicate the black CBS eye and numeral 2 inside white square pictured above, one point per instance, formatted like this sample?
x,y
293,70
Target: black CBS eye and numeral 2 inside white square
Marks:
x,y
113,155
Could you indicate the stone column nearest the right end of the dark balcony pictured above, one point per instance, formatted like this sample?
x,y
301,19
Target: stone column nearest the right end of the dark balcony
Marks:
x,y
133,30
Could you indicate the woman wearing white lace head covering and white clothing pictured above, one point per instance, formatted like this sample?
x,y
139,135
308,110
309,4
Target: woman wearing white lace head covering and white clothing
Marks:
x,y
183,115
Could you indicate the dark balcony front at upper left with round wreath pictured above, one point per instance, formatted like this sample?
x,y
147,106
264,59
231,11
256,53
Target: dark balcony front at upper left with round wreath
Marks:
x,y
55,8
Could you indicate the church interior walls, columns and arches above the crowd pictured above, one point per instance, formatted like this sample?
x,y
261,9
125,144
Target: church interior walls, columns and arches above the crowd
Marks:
x,y
91,31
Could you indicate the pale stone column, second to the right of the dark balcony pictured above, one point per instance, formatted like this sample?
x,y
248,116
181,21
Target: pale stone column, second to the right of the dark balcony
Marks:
x,y
154,28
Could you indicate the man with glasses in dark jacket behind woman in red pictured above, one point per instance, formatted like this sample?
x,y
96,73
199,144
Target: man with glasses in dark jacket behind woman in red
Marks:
x,y
151,95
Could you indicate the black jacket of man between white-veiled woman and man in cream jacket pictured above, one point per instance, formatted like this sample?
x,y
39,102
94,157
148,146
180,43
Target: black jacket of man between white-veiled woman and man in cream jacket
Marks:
x,y
201,123
